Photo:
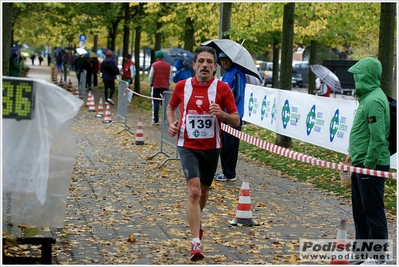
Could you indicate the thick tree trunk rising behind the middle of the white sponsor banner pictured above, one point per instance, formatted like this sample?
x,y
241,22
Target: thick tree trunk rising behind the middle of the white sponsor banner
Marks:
x,y
287,45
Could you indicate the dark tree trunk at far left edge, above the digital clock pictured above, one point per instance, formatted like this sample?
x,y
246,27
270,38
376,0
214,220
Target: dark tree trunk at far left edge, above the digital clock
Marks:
x,y
7,36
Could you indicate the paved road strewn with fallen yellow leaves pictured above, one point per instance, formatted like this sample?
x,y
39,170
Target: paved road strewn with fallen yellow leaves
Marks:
x,y
124,209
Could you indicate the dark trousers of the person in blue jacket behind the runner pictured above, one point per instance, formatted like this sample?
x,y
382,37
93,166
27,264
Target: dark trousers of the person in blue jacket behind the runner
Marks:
x,y
229,153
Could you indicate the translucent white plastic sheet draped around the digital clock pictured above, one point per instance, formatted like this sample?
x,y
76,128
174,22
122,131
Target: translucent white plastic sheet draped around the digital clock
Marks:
x,y
38,158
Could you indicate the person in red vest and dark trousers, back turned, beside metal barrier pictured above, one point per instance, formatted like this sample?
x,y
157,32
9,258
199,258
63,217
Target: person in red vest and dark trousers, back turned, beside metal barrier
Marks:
x,y
159,80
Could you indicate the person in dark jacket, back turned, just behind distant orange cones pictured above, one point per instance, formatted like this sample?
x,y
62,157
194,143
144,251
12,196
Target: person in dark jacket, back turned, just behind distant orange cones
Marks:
x,y
109,75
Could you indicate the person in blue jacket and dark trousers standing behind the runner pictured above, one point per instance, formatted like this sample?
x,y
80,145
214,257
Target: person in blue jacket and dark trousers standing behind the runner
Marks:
x,y
236,79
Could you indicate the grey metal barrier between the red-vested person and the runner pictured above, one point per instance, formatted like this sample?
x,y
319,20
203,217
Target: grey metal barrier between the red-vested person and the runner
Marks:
x,y
165,138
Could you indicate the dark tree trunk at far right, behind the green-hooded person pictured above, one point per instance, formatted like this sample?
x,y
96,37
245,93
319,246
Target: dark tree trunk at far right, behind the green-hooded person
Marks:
x,y
386,45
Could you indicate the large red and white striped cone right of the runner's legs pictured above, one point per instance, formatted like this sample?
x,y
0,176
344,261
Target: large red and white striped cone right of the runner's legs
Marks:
x,y
244,209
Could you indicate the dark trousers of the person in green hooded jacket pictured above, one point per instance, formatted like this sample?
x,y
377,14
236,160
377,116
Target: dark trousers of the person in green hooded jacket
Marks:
x,y
368,205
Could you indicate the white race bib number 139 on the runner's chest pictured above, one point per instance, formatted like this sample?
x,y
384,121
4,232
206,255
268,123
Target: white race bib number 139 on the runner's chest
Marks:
x,y
200,126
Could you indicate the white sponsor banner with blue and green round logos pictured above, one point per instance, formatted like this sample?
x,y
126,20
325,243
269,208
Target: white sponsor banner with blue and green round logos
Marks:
x,y
321,121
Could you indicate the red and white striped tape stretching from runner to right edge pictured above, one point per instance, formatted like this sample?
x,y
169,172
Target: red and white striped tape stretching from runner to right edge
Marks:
x,y
302,157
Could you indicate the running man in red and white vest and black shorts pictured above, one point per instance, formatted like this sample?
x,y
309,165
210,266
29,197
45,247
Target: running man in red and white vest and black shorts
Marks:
x,y
201,99
